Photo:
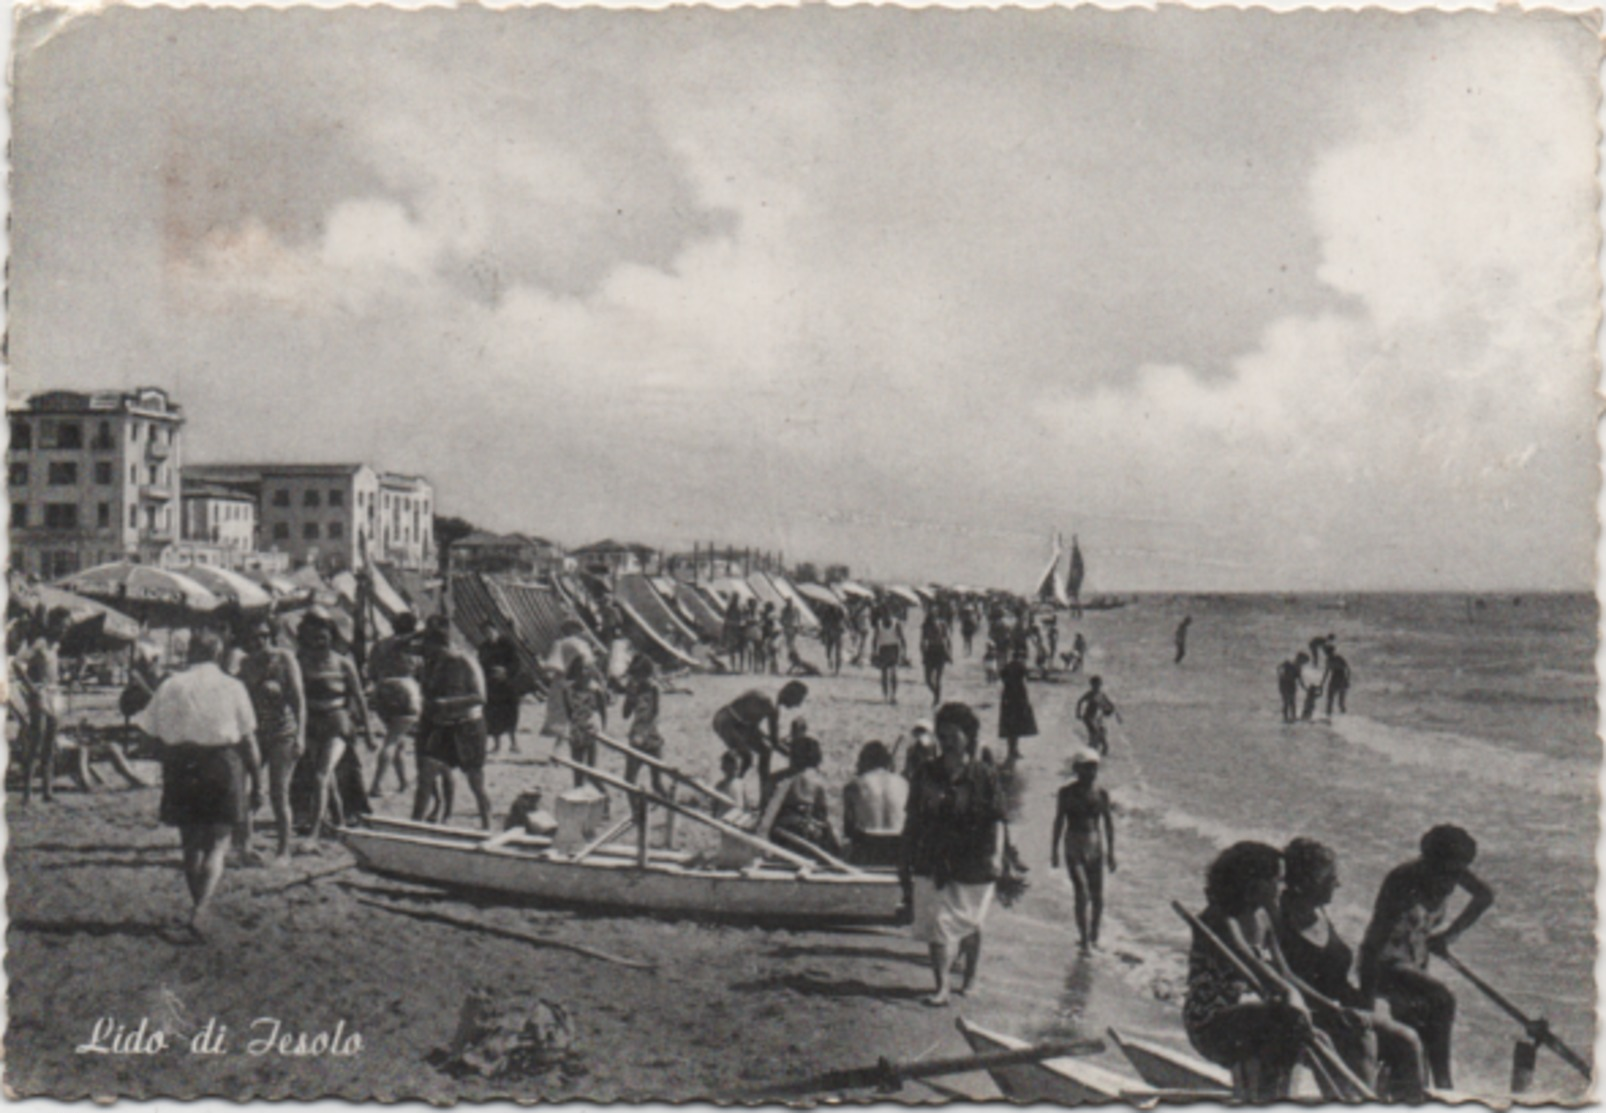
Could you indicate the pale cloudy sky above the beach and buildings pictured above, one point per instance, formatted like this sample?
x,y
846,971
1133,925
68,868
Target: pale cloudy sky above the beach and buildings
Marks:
x,y
1244,301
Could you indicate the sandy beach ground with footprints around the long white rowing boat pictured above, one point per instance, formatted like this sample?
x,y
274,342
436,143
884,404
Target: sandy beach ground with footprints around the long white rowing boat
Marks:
x,y
96,899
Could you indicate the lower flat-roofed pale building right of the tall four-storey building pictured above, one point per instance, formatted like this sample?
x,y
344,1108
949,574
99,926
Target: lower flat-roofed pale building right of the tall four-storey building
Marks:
x,y
332,515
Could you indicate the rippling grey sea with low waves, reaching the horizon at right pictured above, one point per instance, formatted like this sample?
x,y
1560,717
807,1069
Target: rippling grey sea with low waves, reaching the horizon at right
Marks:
x,y
1470,711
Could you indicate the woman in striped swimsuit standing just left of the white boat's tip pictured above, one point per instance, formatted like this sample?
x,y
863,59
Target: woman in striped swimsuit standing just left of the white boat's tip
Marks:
x,y
335,699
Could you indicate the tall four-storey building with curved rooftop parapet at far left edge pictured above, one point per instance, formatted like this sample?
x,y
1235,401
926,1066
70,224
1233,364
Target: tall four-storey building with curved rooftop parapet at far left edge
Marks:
x,y
94,478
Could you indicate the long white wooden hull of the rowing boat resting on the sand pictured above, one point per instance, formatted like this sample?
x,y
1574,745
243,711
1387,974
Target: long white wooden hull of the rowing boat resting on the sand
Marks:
x,y
528,868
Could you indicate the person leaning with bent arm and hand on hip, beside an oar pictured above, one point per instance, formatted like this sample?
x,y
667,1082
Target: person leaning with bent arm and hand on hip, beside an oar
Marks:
x,y
1406,932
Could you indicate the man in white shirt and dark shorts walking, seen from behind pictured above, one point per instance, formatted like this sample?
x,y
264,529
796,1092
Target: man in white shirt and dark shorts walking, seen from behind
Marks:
x,y
208,730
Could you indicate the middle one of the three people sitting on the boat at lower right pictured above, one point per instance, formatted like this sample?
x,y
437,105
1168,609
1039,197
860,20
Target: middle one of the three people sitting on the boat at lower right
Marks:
x,y
1321,960
